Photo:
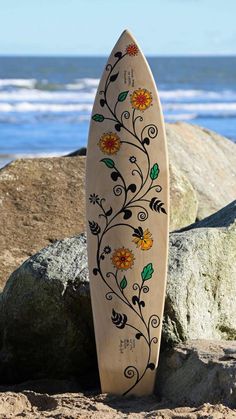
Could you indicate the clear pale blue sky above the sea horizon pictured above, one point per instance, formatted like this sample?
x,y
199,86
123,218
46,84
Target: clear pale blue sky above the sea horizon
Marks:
x,y
91,27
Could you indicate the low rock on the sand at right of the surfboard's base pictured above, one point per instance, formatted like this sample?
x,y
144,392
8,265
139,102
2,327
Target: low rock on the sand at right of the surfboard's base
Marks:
x,y
197,372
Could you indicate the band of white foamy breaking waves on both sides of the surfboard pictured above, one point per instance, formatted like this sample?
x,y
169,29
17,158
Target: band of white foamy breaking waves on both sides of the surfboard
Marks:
x,y
77,98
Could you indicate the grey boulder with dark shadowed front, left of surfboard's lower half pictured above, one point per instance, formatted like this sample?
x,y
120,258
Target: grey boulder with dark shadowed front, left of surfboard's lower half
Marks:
x,y
46,316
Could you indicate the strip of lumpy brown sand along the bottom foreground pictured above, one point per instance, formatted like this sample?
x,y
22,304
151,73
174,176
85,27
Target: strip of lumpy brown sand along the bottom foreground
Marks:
x,y
74,405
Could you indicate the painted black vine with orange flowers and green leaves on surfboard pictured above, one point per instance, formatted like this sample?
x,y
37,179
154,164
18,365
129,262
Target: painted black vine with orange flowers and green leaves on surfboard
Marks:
x,y
138,197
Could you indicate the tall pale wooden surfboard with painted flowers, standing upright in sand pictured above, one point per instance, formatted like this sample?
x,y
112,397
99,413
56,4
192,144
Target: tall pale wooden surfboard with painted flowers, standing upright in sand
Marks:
x,y
127,217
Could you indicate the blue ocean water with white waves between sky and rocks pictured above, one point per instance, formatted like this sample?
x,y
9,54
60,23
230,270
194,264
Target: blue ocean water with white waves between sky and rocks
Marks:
x,y
46,103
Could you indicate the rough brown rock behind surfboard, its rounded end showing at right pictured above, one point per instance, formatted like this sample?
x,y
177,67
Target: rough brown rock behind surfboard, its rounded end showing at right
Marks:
x,y
43,200
